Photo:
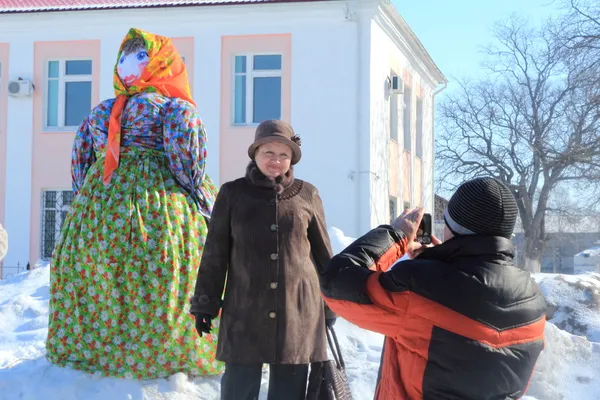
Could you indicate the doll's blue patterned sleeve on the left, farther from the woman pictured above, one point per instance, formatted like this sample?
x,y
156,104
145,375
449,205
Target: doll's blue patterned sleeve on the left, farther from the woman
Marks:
x,y
83,155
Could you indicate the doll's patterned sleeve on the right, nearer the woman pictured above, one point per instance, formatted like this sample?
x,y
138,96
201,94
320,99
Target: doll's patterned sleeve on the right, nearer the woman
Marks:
x,y
185,147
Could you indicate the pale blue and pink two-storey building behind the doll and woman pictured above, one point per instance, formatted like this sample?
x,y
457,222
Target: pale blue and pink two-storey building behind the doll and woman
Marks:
x,y
351,77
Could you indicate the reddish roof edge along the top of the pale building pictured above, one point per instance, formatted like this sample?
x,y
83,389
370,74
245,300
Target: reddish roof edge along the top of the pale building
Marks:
x,y
22,6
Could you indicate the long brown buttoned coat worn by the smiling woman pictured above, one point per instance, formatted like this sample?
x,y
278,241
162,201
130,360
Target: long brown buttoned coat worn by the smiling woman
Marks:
x,y
269,246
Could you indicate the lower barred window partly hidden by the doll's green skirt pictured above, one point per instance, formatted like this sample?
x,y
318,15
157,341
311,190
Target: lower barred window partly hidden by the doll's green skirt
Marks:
x,y
55,205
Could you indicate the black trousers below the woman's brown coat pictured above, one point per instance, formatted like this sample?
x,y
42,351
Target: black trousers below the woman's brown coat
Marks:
x,y
286,382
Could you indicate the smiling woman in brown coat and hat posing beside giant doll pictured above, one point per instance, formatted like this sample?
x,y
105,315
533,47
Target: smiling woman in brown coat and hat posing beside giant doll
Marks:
x,y
268,236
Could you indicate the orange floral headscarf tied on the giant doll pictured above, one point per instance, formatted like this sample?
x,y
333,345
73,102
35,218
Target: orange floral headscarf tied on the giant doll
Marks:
x,y
165,74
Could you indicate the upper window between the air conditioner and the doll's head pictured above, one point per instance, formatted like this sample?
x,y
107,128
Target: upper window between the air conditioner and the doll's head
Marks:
x,y
69,93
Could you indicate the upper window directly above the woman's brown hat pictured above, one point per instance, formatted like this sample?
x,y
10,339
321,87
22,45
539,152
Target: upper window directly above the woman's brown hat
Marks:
x,y
257,88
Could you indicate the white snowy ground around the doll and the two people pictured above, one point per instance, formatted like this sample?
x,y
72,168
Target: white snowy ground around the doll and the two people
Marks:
x,y
566,370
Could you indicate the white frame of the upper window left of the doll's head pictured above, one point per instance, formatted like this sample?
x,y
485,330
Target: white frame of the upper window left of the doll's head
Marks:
x,y
62,80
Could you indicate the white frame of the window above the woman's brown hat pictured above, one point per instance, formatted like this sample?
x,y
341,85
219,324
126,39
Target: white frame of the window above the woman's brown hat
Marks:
x,y
250,75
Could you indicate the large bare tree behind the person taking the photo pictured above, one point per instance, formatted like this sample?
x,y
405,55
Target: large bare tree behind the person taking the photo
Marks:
x,y
530,123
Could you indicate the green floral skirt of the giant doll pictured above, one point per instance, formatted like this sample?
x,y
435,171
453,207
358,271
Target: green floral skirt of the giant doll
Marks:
x,y
123,272
